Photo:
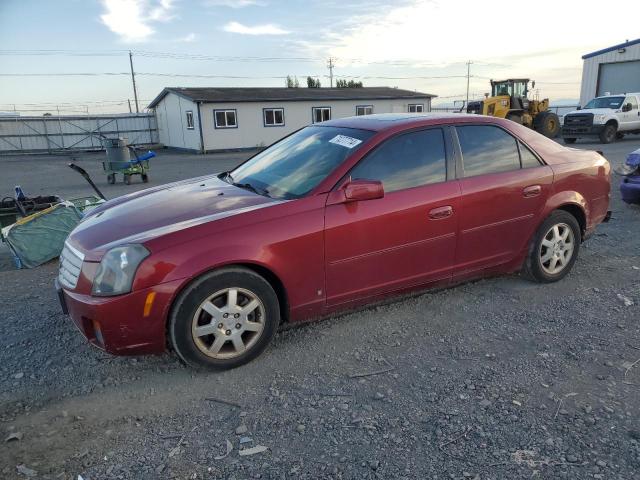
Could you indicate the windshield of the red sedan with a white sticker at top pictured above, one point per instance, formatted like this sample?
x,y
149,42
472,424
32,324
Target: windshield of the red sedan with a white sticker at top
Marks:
x,y
296,164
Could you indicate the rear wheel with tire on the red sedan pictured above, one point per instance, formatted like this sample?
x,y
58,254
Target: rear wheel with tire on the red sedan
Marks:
x,y
547,242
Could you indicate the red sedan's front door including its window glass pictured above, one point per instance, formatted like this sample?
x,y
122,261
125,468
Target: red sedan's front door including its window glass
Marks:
x,y
406,238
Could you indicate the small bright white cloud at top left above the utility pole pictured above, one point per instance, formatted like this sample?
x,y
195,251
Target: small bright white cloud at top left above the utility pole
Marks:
x,y
132,20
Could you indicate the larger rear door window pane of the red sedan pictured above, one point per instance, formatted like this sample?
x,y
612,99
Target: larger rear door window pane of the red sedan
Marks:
x,y
487,149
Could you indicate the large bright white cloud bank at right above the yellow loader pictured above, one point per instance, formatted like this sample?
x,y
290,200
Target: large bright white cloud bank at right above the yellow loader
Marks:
x,y
432,38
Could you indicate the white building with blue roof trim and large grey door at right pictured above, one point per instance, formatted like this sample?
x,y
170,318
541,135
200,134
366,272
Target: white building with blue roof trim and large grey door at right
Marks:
x,y
612,70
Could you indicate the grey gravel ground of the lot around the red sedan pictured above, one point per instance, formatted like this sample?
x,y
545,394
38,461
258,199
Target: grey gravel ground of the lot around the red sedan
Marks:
x,y
499,378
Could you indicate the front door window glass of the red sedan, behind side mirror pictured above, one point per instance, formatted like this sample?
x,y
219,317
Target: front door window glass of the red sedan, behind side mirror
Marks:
x,y
406,161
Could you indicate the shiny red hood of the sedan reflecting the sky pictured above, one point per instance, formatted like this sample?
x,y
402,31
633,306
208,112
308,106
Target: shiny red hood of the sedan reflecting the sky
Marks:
x,y
148,214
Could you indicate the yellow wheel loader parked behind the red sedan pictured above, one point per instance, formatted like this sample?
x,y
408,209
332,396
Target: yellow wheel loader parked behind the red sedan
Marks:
x,y
509,100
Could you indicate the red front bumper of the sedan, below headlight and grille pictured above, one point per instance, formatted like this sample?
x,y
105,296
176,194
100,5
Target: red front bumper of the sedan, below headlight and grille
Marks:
x,y
118,324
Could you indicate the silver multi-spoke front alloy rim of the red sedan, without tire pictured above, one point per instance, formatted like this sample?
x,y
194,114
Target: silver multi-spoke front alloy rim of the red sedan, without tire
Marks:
x,y
228,323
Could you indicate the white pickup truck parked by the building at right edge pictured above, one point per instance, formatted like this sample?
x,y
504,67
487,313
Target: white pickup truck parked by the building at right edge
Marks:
x,y
607,118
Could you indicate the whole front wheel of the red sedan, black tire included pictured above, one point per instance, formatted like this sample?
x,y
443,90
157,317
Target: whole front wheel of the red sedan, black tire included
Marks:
x,y
219,336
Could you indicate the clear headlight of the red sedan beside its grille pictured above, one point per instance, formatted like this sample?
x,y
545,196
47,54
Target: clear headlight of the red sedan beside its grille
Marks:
x,y
117,270
